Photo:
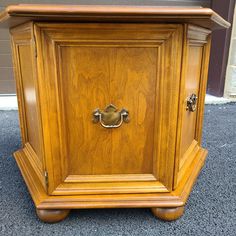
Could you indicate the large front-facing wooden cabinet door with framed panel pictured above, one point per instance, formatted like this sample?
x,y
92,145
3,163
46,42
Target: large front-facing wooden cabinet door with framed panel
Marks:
x,y
90,66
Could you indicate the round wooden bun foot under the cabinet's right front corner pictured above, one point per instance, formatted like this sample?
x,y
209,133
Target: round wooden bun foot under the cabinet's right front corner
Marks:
x,y
168,214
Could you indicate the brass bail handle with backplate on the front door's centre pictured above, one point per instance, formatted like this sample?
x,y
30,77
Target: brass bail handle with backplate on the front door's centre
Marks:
x,y
111,117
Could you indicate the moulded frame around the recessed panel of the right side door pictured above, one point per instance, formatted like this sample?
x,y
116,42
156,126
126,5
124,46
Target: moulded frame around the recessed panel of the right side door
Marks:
x,y
200,38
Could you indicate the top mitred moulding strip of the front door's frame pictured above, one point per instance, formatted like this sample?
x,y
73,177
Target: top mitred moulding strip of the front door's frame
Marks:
x,y
50,30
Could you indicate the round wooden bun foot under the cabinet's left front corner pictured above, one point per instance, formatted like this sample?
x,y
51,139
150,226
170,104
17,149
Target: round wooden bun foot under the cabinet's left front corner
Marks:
x,y
51,215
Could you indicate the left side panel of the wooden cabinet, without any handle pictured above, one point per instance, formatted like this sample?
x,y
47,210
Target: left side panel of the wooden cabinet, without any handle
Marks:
x,y
25,76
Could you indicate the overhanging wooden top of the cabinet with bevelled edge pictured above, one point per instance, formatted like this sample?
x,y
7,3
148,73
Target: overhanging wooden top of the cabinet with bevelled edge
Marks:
x,y
17,14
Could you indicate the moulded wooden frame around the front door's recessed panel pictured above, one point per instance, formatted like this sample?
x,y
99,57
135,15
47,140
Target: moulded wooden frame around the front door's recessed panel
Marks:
x,y
168,39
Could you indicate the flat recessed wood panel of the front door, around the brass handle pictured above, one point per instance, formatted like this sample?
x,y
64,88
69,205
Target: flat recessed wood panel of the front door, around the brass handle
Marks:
x,y
99,77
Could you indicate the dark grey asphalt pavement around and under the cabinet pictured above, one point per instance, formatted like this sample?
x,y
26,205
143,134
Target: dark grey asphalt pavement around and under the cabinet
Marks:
x,y
211,209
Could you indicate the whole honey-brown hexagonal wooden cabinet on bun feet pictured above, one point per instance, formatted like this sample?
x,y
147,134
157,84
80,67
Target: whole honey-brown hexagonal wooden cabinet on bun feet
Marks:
x,y
111,104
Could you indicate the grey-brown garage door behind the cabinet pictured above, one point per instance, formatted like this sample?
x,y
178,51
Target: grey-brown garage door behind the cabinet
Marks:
x,y
7,84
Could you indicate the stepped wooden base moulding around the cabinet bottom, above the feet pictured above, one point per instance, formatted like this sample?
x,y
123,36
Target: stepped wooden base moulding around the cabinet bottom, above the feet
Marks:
x,y
44,201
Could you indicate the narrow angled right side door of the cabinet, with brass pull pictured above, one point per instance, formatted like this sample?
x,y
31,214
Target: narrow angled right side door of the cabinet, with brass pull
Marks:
x,y
194,80
